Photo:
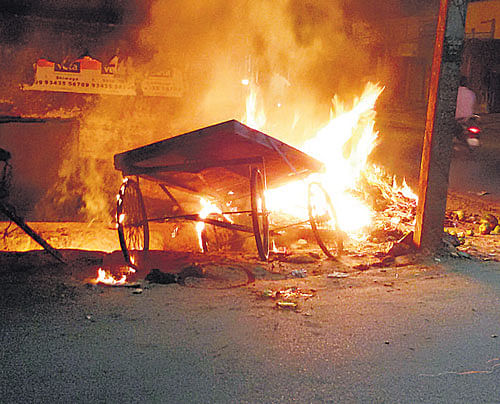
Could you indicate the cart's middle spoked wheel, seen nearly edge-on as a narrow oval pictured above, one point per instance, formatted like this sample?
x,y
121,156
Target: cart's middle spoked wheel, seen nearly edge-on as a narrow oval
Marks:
x,y
260,217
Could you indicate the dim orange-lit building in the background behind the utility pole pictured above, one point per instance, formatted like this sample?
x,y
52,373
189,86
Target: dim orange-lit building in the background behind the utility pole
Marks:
x,y
405,58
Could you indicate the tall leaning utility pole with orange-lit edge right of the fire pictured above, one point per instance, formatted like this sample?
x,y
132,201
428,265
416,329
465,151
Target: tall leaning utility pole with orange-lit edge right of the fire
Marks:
x,y
439,129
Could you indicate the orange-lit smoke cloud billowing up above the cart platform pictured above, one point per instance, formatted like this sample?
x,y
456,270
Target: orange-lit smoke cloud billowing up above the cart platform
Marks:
x,y
297,52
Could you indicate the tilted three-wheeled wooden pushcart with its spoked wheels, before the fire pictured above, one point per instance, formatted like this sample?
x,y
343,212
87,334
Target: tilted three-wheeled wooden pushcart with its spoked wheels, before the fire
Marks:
x,y
226,162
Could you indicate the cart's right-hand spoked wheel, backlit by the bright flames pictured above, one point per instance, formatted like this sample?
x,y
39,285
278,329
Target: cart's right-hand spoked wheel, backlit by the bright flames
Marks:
x,y
323,221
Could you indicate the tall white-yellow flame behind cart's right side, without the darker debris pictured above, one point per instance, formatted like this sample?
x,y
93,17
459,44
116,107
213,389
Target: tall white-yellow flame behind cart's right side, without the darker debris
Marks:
x,y
343,145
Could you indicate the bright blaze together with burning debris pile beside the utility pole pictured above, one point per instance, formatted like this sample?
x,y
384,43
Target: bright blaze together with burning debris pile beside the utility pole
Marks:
x,y
368,203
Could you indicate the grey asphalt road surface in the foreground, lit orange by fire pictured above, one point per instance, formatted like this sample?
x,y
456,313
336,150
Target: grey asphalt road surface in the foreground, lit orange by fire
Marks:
x,y
418,334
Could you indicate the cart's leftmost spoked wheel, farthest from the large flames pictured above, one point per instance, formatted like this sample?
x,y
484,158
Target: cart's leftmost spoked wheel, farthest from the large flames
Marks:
x,y
133,228
